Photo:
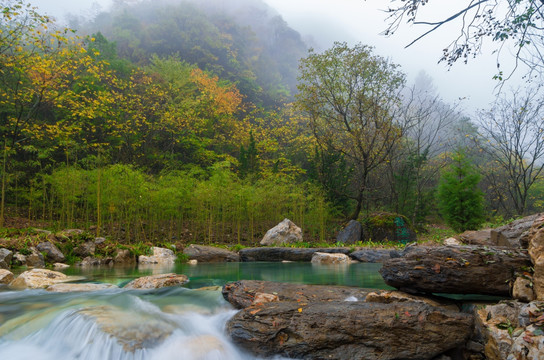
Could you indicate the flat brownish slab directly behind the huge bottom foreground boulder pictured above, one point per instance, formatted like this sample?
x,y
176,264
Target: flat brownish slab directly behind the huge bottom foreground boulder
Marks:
x,y
242,294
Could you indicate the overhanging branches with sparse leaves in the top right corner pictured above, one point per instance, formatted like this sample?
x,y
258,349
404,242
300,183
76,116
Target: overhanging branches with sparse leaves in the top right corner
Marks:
x,y
519,22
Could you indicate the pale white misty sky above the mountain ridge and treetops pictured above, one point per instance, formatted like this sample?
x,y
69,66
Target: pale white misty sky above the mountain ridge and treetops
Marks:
x,y
469,85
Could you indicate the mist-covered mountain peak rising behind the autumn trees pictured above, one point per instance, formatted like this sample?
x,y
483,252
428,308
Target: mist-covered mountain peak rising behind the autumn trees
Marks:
x,y
243,41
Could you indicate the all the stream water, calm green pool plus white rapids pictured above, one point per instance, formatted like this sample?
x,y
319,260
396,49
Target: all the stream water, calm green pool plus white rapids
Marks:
x,y
170,323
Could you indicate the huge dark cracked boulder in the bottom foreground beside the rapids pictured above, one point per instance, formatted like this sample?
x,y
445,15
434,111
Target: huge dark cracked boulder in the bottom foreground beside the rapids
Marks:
x,y
348,330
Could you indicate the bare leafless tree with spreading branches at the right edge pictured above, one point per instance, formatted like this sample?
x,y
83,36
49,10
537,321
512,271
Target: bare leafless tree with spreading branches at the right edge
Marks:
x,y
511,135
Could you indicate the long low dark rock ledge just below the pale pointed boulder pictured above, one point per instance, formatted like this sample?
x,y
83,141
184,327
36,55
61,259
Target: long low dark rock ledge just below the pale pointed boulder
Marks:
x,y
278,254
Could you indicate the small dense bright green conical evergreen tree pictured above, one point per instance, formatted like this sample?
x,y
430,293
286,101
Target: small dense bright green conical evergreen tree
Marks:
x,y
459,198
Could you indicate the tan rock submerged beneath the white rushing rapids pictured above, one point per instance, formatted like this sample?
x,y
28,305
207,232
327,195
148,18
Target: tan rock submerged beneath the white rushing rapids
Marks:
x,y
132,330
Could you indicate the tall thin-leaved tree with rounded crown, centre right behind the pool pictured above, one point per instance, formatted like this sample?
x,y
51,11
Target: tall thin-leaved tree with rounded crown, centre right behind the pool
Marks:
x,y
352,99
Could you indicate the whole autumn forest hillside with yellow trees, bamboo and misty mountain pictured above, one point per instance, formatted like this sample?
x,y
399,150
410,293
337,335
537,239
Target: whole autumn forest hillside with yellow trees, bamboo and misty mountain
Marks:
x,y
194,122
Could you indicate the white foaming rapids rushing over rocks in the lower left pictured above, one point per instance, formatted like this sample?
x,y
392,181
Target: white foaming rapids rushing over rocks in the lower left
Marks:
x,y
173,323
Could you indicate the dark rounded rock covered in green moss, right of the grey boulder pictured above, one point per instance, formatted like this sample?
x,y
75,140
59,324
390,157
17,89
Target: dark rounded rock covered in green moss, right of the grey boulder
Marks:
x,y
384,226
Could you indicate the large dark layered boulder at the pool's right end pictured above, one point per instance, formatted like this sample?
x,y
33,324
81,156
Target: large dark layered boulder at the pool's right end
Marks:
x,y
456,269
